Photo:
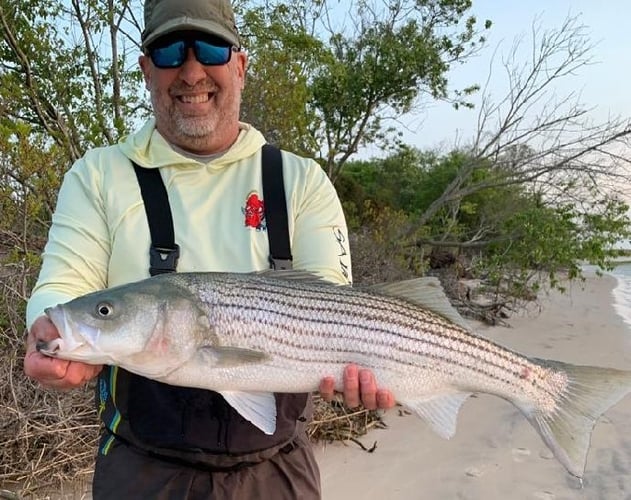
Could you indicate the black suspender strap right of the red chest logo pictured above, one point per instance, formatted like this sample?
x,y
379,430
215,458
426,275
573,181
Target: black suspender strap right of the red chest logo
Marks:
x,y
275,205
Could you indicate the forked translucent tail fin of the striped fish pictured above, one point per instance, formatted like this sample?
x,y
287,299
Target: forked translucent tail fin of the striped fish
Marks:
x,y
590,392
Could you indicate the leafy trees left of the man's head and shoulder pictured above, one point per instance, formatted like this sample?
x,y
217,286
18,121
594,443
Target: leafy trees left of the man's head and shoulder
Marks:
x,y
61,92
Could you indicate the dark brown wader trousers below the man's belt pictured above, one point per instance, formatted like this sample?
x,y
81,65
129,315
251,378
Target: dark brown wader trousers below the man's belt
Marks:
x,y
125,473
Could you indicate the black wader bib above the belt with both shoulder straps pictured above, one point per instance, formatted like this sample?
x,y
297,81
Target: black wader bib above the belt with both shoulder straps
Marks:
x,y
188,425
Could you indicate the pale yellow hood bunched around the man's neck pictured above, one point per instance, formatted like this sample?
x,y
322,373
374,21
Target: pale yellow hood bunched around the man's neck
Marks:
x,y
149,149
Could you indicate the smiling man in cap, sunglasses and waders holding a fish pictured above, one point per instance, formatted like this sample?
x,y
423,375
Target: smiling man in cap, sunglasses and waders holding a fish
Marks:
x,y
160,441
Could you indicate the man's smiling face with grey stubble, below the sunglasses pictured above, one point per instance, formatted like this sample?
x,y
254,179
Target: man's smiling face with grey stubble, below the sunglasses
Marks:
x,y
196,106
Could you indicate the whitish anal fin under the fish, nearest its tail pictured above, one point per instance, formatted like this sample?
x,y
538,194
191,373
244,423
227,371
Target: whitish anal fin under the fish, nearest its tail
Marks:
x,y
440,412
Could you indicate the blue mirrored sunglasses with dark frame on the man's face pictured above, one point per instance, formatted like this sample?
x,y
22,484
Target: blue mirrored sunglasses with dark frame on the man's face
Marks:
x,y
174,53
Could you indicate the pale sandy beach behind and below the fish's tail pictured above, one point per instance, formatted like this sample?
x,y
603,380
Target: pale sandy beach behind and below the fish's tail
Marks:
x,y
496,454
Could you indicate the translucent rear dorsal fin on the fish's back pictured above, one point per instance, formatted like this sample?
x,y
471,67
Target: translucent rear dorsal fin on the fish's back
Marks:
x,y
425,292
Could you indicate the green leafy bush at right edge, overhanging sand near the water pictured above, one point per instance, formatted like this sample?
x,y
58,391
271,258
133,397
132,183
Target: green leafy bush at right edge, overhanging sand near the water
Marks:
x,y
555,239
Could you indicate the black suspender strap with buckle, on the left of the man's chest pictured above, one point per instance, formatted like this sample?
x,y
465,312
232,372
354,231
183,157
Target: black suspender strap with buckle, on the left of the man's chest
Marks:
x,y
163,252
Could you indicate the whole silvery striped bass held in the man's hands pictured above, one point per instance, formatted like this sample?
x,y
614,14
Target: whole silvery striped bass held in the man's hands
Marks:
x,y
249,335
